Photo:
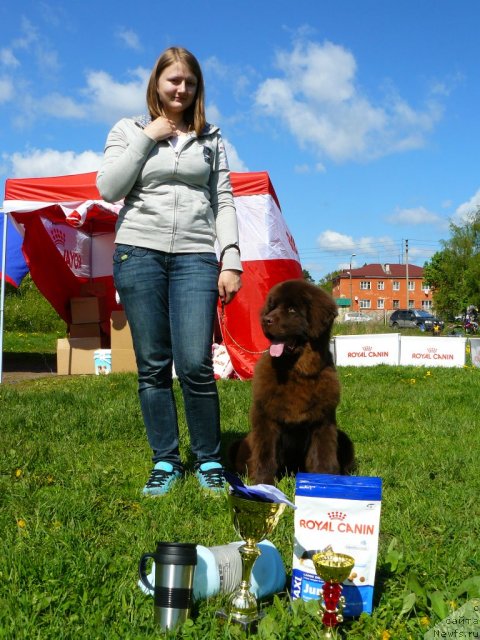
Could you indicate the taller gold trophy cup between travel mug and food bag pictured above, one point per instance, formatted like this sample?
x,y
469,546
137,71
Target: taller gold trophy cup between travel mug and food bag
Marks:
x,y
253,521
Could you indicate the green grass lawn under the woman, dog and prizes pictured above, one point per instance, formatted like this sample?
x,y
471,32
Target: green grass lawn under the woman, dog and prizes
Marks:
x,y
73,458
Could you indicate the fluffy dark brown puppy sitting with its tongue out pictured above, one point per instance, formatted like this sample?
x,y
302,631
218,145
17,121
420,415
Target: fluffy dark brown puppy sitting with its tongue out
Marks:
x,y
295,391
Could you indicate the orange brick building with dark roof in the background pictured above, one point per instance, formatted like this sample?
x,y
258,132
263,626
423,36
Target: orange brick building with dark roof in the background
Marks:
x,y
382,288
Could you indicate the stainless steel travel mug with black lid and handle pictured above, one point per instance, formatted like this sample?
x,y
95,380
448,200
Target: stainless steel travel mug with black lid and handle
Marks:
x,y
173,589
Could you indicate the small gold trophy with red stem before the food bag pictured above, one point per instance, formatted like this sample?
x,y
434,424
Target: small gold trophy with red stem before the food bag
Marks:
x,y
333,568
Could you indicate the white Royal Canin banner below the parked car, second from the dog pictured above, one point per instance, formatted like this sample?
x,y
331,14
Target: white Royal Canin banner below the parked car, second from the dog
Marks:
x,y
432,352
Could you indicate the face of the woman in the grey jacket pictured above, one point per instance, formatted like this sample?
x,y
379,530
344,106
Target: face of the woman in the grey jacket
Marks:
x,y
176,88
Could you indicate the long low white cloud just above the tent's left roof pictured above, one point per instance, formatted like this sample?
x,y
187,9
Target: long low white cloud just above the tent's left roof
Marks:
x,y
50,162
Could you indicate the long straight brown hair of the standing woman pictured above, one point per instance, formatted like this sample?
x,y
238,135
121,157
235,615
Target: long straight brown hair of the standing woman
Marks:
x,y
194,116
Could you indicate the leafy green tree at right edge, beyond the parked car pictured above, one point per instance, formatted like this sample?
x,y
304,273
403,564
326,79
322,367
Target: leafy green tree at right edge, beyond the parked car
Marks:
x,y
454,272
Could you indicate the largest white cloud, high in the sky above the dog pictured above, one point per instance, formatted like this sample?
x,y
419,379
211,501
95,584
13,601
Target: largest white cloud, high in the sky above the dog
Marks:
x,y
317,97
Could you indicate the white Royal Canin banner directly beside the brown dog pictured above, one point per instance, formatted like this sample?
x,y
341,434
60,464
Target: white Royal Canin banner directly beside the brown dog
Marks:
x,y
367,350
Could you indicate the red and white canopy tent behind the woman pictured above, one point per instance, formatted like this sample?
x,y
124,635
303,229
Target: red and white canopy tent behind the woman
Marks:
x,y
69,237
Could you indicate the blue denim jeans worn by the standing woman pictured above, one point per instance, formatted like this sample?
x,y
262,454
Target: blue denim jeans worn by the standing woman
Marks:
x,y
170,303
